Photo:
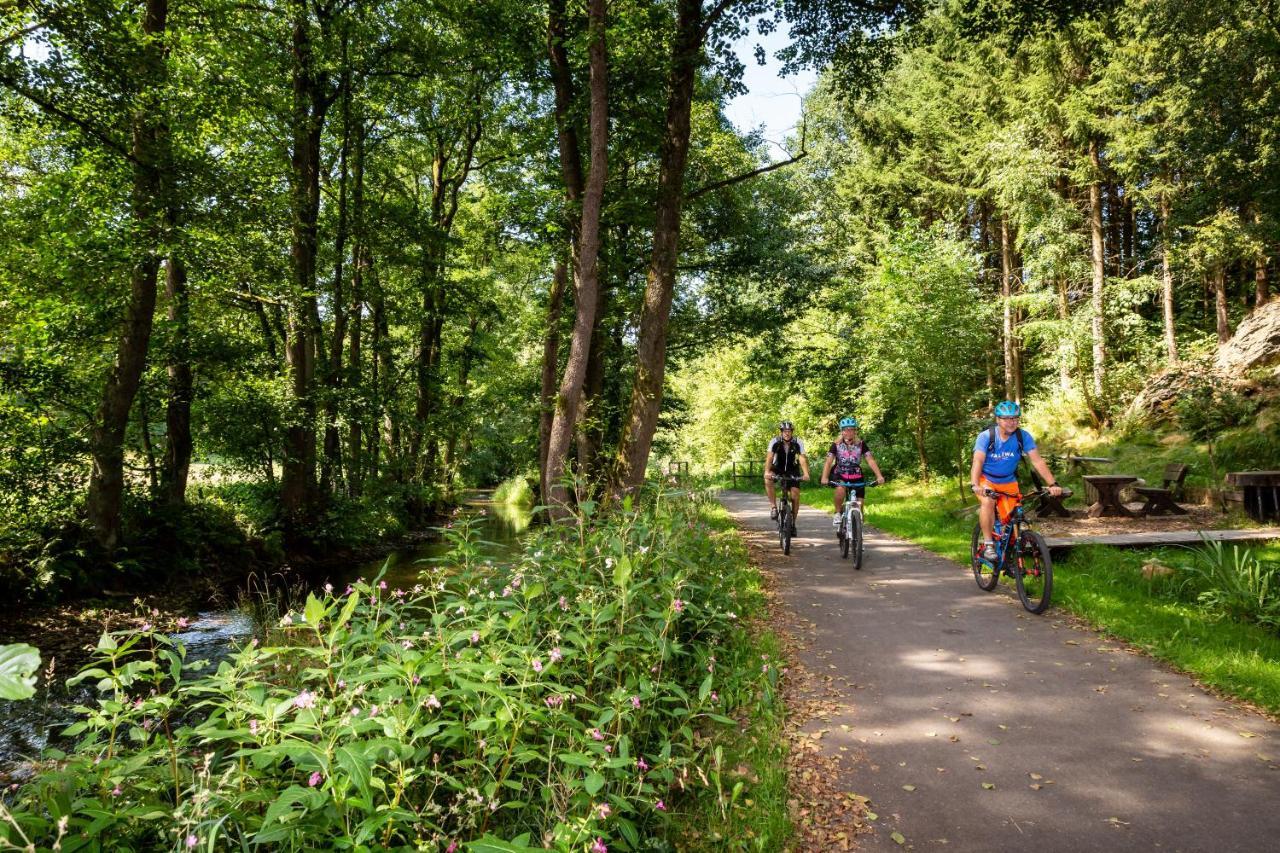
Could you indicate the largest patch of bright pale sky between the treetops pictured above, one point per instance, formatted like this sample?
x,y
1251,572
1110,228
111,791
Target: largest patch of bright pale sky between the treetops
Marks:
x,y
771,101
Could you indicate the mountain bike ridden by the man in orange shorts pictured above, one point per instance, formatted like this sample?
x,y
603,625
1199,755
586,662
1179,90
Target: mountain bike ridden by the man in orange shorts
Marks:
x,y
1021,554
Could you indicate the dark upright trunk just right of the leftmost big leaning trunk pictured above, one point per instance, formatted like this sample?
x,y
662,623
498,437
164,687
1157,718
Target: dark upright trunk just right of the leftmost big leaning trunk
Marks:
x,y
179,449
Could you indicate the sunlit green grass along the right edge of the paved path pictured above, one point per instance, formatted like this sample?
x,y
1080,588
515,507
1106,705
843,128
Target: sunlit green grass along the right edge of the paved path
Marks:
x,y
1105,587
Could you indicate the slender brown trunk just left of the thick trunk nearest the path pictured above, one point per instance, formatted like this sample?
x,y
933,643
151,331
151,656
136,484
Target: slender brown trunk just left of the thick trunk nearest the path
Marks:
x,y
588,270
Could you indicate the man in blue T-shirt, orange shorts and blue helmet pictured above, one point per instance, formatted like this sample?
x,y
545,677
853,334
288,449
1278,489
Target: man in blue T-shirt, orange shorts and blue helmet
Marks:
x,y
996,454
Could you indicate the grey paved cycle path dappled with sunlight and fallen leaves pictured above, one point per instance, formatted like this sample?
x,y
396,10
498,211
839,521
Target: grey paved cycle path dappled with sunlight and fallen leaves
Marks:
x,y
948,690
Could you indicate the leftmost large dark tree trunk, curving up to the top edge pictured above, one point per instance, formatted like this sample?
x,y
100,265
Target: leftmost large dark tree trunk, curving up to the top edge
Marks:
x,y
149,154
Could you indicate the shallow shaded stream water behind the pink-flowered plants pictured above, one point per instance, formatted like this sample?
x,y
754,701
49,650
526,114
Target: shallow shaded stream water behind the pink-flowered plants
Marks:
x,y
28,728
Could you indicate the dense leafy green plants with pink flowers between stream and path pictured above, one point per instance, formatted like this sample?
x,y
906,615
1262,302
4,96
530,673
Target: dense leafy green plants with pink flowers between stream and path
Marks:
x,y
561,701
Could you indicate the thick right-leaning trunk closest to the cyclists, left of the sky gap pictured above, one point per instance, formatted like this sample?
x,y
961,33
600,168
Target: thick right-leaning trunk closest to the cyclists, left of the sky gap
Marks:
x,y
661,282
